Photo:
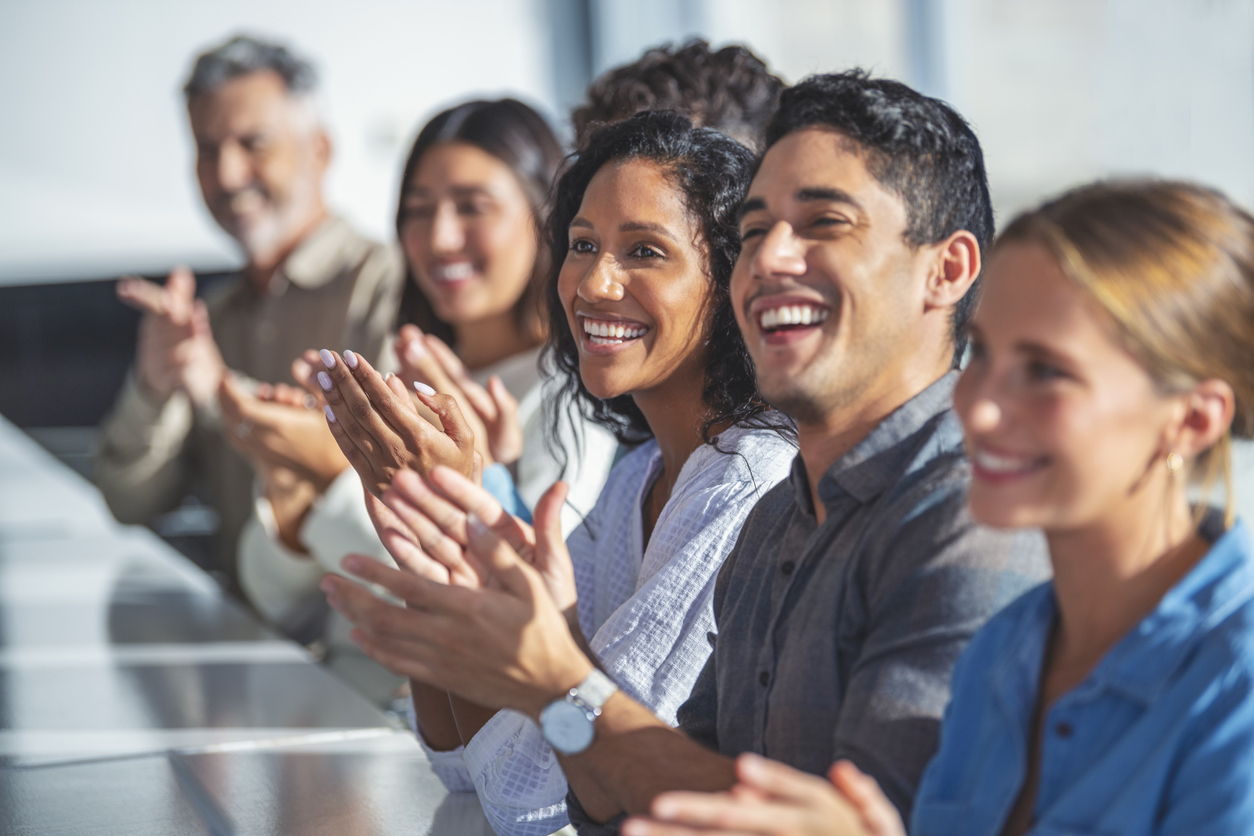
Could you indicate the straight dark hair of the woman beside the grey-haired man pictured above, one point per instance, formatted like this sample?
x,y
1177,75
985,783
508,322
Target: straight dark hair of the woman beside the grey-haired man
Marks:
x,y
522,140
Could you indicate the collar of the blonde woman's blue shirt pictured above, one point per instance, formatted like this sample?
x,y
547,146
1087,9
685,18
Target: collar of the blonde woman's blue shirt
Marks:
x,y
1221,583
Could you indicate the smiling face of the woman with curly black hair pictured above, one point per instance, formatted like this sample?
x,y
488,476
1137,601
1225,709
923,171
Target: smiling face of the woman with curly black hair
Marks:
x,y
635,285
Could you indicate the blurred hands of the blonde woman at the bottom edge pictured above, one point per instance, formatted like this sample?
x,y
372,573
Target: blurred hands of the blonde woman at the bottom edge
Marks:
x,y
776,800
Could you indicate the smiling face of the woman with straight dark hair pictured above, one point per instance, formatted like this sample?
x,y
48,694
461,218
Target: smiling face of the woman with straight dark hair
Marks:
x,y
468,234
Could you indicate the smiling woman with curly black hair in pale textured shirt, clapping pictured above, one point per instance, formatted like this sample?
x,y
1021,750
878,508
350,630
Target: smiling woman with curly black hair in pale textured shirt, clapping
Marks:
x,y
644,240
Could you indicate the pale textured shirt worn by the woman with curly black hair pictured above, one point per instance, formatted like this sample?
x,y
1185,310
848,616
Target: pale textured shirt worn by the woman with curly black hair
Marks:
x,y
654,645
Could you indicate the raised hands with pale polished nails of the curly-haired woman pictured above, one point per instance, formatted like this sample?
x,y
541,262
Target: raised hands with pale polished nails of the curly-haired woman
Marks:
x,y
381,432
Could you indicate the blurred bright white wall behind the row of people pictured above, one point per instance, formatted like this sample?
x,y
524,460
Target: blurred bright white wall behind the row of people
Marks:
x,y
96,171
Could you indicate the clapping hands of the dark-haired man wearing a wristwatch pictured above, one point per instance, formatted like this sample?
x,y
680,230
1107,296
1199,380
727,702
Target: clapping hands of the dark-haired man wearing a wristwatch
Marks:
x,y
501,642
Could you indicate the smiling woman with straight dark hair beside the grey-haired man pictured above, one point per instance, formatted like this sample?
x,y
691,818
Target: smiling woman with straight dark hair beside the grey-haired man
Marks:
x,y
473,199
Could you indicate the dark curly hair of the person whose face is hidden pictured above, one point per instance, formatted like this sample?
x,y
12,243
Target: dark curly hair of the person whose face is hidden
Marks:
x,y
730,91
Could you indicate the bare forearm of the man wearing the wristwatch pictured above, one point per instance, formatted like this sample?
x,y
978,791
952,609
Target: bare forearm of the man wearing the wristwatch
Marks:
x,y
635,758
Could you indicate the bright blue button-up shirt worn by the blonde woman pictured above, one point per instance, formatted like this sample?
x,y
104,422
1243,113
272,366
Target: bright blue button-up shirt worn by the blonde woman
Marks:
x,y
1159,739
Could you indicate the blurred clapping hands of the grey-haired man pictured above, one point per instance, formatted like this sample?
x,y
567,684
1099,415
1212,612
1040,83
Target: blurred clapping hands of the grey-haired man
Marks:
x,y
176,349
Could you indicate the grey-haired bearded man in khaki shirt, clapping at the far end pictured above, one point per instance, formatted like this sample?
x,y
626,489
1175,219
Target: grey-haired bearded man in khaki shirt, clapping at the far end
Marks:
x,y
261,157
